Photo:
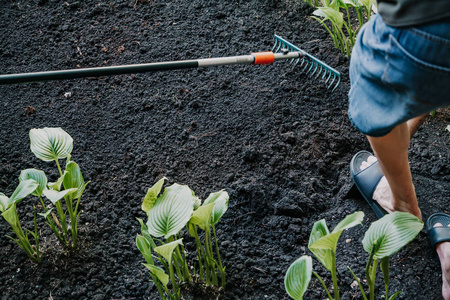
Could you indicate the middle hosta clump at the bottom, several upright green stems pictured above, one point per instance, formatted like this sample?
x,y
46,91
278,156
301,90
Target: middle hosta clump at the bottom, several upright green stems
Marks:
x,y
175,209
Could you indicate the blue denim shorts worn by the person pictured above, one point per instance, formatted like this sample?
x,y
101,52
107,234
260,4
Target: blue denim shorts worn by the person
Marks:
x,y
397,74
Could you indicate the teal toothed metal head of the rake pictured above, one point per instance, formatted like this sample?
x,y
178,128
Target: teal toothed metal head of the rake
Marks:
x,y
308,63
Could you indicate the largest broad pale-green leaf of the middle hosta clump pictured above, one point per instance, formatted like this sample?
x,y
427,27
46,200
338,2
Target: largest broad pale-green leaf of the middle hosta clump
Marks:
x,y
171,211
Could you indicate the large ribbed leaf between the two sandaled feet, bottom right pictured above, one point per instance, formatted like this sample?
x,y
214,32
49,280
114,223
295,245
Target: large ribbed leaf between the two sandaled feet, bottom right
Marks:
x,y
391,233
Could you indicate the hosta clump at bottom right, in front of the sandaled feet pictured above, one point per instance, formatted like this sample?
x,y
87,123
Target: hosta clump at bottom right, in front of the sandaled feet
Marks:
x,y
384,238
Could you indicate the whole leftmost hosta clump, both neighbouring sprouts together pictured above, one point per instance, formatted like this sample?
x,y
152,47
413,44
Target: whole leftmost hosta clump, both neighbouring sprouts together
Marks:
x,y
48,144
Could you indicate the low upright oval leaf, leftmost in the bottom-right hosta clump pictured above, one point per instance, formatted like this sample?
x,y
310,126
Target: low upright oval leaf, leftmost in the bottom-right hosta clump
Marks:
x,y
298,276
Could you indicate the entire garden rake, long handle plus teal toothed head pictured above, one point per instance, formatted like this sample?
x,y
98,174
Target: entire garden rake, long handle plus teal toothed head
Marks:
x,y
282,50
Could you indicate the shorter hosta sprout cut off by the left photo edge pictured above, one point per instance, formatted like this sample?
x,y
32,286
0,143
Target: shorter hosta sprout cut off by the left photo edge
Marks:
x,y
9,213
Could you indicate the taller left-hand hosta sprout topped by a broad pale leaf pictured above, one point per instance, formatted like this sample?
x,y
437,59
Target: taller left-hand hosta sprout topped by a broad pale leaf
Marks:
x,y
52,144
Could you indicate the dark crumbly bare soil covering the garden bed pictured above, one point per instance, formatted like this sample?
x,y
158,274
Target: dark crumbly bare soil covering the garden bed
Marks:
x,y
277,141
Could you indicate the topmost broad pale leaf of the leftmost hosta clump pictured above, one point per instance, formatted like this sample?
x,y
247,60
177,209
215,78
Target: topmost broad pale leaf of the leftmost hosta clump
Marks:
x,y
50,143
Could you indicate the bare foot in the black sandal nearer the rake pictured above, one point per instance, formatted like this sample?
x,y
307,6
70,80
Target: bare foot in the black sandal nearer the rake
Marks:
x,y
383,194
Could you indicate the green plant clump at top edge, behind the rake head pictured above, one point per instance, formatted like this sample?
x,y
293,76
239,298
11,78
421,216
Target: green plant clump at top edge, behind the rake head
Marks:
x,y
330,13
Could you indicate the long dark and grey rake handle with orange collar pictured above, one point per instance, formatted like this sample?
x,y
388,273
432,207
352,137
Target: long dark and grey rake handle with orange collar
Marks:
x,y
254,58
